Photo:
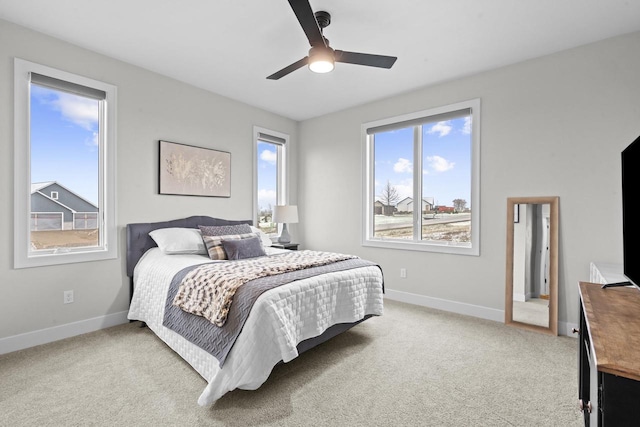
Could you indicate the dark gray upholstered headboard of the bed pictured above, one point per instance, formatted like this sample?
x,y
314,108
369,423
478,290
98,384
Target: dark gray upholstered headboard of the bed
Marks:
x,y
138,240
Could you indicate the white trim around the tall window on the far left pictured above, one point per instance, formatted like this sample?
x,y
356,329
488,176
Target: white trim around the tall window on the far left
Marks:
x,y
108,248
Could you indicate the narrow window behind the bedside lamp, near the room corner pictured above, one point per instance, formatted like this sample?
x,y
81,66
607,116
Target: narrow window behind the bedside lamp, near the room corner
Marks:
x,y
270,184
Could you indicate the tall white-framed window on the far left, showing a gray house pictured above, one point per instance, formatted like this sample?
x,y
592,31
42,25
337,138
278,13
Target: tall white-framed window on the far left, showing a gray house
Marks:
x,y
64,203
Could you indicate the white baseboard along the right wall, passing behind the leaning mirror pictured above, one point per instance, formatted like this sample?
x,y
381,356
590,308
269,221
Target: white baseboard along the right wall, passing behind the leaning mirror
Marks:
x,y
481,312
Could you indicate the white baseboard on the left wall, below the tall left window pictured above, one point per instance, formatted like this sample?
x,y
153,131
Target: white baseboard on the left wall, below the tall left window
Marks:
x,y
44,336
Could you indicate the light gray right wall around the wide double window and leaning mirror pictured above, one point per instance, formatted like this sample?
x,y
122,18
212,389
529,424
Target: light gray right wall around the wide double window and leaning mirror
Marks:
x,y
552,126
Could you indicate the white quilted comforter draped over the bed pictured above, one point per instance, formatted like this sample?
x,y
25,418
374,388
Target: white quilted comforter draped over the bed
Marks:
x,y
280,319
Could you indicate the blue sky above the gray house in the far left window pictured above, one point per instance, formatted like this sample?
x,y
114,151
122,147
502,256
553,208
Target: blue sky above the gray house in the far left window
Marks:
x,y
64,136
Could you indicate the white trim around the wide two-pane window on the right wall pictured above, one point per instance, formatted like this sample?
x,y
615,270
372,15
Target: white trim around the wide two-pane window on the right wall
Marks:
x,y
369,184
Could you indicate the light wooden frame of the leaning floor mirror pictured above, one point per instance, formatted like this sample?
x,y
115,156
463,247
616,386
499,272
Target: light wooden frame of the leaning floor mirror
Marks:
x,y
553,263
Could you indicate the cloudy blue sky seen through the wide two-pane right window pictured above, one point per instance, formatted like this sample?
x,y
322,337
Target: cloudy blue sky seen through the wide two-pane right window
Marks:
x,y
446,162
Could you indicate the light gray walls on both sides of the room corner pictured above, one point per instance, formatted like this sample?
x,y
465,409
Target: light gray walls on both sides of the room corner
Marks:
x,y
550,126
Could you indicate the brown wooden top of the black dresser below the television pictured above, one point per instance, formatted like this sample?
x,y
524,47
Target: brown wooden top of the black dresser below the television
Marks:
x,y
613,317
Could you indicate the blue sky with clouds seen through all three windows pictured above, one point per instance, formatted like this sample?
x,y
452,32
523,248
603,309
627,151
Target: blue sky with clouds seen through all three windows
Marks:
x,y
64,131
